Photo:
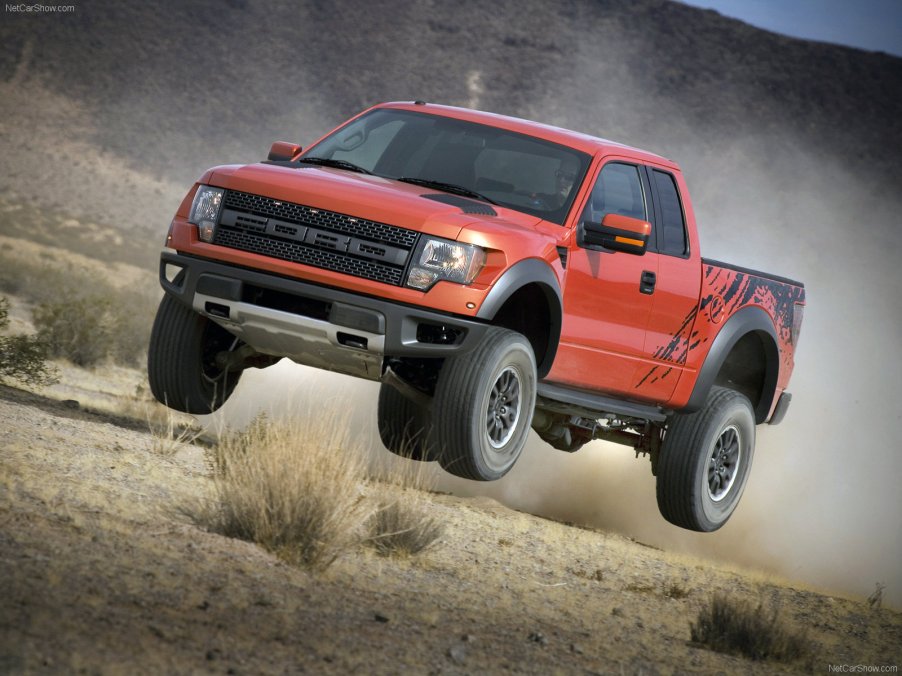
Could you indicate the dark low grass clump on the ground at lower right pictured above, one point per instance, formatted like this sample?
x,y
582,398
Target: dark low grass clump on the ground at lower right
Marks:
x,y
732,626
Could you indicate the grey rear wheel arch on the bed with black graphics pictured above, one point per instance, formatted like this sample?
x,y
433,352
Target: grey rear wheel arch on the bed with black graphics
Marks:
x,y
744,357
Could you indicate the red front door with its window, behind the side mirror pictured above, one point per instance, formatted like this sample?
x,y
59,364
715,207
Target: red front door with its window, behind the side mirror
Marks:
x,y
608,295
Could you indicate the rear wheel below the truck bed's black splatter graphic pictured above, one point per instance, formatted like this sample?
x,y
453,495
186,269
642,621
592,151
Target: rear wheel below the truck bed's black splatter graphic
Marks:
x,y
705,462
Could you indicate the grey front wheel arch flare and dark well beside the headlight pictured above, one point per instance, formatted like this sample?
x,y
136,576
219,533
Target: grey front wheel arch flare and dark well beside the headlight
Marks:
x,y
527,299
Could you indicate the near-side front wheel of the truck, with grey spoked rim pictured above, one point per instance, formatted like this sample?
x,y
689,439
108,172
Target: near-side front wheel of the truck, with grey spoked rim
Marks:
x,y
483,406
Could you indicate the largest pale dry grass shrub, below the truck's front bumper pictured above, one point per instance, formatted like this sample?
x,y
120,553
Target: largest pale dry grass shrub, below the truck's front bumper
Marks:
x,y
293,490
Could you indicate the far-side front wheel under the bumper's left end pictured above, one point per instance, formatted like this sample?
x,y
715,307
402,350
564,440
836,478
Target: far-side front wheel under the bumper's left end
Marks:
x,y
181,359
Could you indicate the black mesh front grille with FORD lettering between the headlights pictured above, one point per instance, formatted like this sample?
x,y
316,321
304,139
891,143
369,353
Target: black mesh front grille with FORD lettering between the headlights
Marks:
x,y
323,239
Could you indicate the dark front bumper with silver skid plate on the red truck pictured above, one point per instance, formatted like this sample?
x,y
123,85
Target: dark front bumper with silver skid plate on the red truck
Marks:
x,y
311,324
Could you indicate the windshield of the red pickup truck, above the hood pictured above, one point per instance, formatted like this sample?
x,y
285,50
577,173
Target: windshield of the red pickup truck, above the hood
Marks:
x,y
513,170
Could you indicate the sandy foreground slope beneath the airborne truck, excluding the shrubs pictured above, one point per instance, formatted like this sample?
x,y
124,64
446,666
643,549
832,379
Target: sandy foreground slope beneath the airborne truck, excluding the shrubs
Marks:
x,y
101,573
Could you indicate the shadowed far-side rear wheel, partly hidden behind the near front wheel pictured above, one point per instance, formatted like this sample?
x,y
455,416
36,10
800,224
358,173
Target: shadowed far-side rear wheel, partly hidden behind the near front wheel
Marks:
x,y
403,425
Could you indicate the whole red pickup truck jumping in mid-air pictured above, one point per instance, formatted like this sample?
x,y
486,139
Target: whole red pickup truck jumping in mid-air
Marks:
x,y
495,276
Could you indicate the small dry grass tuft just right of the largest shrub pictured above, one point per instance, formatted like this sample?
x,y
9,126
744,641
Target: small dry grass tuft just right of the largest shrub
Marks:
x,y
402,524
